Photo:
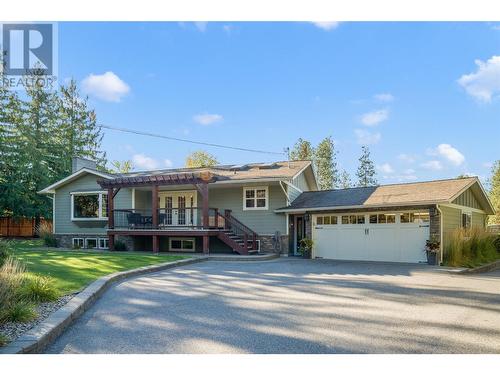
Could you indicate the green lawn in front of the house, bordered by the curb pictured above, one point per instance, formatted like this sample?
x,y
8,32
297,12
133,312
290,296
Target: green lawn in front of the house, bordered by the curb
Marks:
x,y
73,270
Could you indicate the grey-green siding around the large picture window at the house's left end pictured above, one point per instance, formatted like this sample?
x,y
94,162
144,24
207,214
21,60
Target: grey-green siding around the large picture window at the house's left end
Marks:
x,y
63,222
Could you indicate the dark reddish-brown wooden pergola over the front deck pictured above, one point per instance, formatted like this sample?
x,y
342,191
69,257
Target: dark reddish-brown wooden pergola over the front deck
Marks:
x,y
199,180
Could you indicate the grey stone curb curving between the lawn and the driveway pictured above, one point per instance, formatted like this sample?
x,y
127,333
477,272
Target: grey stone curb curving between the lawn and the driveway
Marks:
x,y
43,334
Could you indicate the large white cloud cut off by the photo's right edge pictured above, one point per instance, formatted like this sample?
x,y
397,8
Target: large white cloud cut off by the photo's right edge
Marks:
x,y
484,84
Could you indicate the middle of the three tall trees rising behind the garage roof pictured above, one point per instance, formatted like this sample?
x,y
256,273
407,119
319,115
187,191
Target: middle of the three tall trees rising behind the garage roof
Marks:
x,y
326,164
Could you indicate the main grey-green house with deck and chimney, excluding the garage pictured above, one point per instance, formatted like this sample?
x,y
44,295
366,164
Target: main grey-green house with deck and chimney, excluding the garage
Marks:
x,y
220,209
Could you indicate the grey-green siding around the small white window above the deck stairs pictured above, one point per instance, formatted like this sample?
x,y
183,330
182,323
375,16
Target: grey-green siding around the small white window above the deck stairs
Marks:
x,y
261,221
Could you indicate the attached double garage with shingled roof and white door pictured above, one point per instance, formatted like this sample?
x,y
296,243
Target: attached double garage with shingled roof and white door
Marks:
x,y
387,223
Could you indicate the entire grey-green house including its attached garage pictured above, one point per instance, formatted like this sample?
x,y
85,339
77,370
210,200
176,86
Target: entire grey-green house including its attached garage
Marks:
x,y
260,206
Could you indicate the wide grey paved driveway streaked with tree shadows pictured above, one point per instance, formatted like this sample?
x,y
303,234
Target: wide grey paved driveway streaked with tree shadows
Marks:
x,y
293,306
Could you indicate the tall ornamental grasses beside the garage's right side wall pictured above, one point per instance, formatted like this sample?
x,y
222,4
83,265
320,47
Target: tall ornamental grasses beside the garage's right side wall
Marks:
x,y
470,247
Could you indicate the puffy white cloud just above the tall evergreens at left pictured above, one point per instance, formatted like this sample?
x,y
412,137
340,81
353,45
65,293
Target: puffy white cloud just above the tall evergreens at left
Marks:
x,y
107,86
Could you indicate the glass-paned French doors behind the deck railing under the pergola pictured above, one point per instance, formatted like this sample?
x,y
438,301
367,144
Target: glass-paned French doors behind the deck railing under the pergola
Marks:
x,y
178,208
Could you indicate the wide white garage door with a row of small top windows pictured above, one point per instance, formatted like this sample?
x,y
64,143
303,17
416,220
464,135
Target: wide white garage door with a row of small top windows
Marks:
x,y
387,236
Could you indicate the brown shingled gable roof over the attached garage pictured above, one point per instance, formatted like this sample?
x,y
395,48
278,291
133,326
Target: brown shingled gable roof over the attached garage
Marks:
x,y
408,194
